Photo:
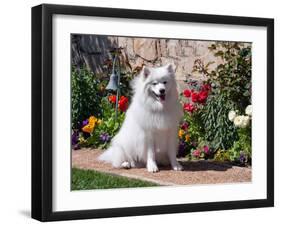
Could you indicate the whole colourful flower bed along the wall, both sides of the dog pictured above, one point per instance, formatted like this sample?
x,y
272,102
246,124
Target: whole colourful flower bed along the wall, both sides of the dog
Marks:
x,y
217,108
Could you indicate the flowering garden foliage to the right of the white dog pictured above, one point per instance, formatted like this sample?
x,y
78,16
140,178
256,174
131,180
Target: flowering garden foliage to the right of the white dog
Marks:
x,y
229,90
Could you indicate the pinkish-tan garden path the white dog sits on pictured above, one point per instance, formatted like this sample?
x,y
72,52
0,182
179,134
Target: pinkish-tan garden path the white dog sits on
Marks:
x,y
195,172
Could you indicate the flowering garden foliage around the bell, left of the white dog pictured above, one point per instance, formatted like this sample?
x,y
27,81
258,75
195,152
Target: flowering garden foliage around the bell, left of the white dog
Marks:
x,y
94,119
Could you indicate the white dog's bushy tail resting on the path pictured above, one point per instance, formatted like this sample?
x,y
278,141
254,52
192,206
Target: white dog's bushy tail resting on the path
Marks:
x,y
113,155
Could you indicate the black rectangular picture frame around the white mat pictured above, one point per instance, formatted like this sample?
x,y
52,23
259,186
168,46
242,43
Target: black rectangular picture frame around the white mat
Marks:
x,y
42,111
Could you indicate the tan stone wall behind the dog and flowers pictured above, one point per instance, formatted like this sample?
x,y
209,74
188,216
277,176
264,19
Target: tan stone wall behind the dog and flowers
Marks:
x,y
93,50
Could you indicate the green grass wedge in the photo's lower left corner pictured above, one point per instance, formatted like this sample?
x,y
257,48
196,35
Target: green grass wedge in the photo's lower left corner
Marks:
x,y
91,179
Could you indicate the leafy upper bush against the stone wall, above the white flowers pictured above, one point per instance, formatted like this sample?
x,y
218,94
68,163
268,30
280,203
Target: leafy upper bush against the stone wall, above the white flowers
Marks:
x,y
233,76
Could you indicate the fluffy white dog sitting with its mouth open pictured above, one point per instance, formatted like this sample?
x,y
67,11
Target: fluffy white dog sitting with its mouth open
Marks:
x,y
149,132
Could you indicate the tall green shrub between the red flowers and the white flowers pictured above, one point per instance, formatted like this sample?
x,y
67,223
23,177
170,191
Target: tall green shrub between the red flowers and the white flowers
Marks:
x,y
231,89
